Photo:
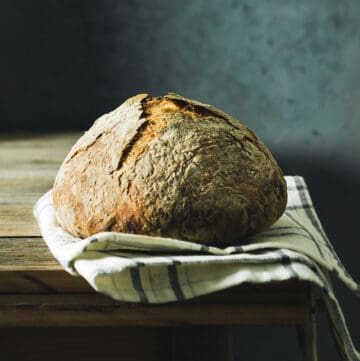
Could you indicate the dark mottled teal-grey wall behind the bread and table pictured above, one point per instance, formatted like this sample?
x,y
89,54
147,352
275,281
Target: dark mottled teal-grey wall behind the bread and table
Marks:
x,y
289,69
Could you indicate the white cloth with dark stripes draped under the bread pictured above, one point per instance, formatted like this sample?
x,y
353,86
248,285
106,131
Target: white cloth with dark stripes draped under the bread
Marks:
x,y
139,268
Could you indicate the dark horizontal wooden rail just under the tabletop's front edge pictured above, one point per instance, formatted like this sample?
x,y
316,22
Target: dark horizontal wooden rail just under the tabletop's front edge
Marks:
x,y
80,310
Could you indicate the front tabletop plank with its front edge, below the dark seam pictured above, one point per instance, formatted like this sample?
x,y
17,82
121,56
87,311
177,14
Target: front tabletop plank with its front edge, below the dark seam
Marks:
x,y
27,266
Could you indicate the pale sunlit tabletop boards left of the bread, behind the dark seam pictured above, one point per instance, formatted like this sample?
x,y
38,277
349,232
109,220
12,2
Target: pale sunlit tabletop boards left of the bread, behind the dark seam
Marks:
x,y
28,165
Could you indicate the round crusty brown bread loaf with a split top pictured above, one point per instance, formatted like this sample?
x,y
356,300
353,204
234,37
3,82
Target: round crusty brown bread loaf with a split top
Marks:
x,y
173,167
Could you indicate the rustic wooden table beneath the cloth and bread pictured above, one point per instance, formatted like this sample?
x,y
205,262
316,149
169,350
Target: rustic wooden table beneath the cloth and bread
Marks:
x,y
41,301
